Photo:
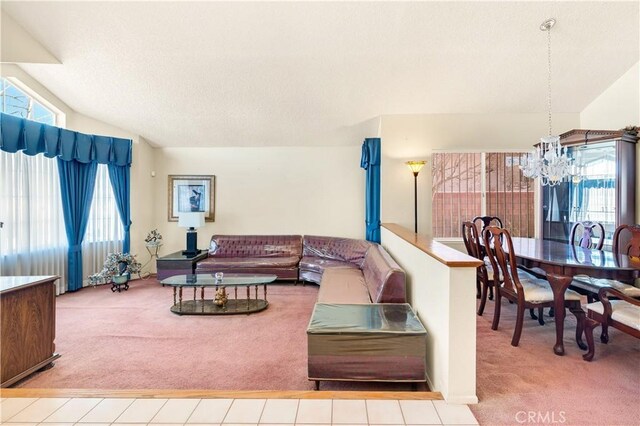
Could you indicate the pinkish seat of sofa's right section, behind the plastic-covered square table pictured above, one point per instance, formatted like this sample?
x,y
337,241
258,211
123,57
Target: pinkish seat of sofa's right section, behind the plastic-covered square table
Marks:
x,y
343,285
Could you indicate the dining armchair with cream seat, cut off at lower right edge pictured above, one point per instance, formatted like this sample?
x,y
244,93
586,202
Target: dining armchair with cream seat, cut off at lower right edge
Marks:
x,y
622,314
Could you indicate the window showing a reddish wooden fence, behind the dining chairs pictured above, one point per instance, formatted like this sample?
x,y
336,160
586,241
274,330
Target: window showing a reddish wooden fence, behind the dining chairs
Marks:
x,y
466,185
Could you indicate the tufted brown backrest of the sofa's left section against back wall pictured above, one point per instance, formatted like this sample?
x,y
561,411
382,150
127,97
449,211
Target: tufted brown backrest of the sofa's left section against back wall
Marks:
x,y
253,246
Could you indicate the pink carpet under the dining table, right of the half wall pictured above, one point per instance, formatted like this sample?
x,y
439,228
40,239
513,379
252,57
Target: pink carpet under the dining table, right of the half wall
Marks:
x,y
529,380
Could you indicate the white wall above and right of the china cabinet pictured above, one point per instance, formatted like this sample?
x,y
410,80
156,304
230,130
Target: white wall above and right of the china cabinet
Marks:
x,y
615,108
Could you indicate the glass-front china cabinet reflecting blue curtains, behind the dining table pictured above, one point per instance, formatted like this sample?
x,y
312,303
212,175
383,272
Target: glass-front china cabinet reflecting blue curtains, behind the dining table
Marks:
x,y
602,188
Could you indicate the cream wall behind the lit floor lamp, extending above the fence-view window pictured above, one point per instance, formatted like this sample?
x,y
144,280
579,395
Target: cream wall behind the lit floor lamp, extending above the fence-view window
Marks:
x,y
415,137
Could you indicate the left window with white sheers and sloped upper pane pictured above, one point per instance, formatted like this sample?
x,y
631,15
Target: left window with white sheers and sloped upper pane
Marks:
x,y
33,239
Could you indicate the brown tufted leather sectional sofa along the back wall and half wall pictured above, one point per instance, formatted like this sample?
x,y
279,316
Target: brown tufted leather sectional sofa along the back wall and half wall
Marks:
x,y
348,270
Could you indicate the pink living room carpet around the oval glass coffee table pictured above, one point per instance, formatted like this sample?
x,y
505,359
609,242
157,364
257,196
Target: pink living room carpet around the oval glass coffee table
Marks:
x,y
131,340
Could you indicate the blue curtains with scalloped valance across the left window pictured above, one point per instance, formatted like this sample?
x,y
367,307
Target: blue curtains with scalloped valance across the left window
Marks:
x,y
78,156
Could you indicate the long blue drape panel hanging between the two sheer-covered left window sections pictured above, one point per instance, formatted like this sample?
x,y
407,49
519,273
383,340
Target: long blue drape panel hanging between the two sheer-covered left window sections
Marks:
x,y
77,181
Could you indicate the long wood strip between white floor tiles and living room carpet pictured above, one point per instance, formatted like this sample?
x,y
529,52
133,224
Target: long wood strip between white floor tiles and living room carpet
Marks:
x,y
178,393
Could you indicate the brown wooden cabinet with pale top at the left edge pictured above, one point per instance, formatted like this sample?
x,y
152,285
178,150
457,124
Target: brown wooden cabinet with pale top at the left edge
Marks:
x,y
28,321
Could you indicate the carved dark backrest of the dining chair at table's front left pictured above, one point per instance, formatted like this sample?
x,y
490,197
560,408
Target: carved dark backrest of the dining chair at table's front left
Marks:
x,y
500,259
